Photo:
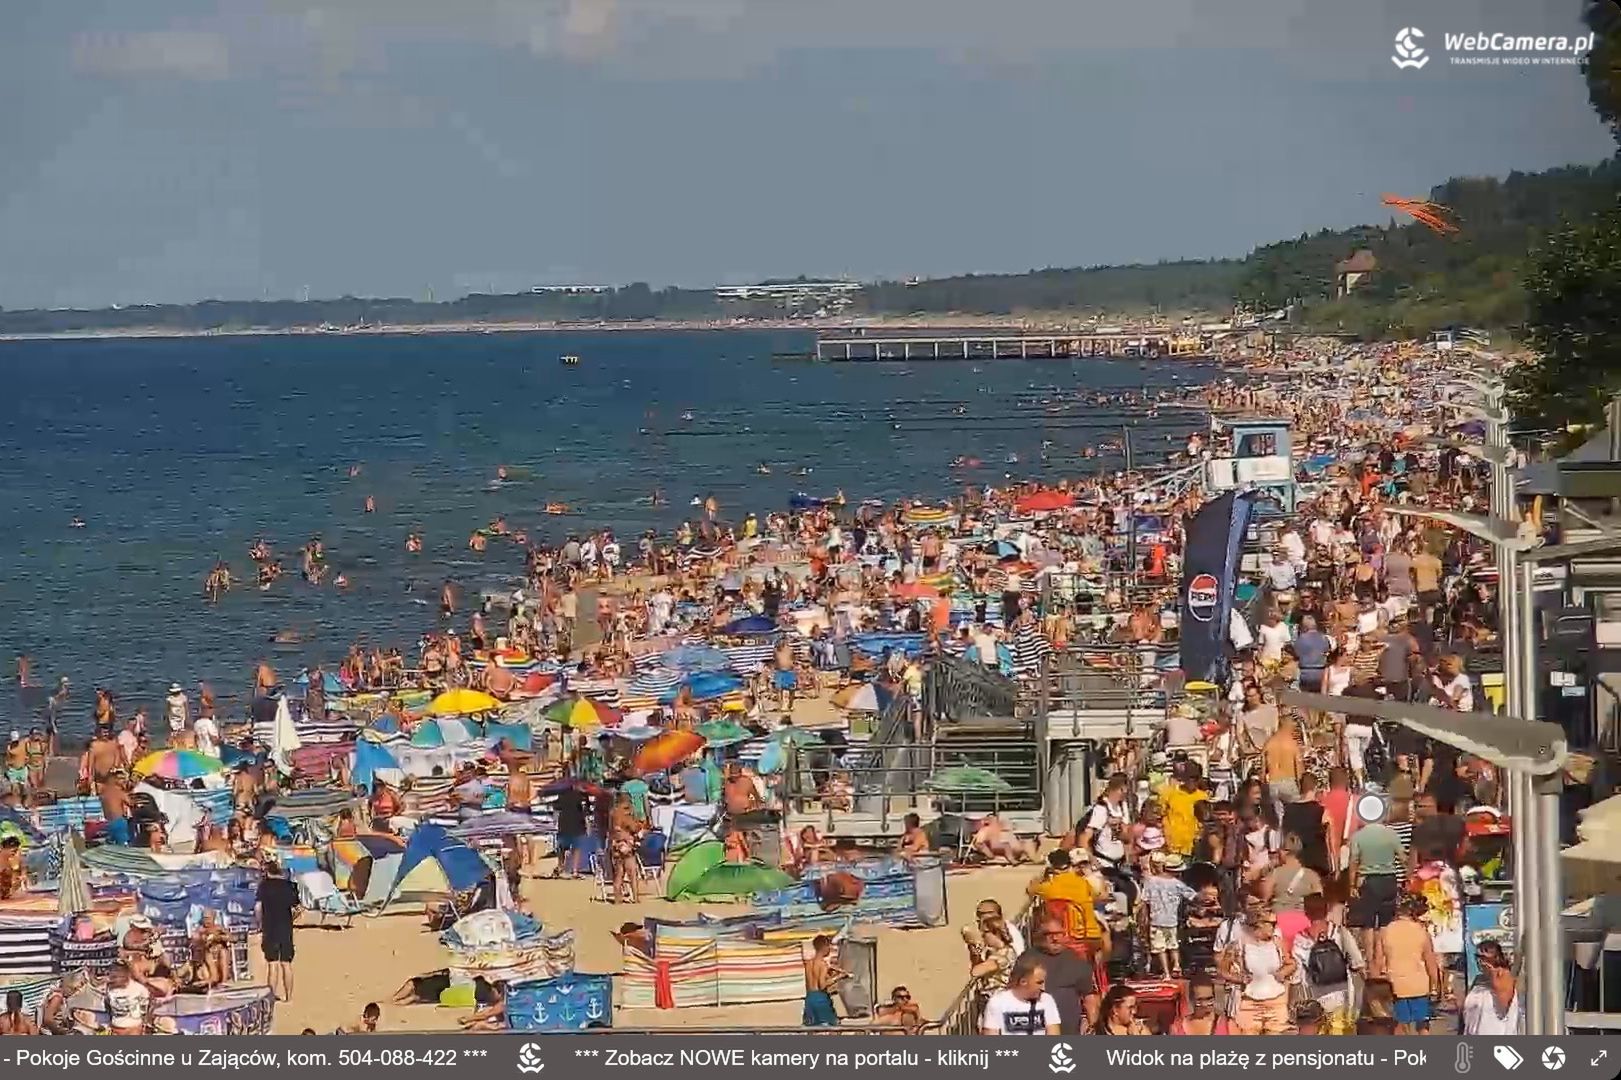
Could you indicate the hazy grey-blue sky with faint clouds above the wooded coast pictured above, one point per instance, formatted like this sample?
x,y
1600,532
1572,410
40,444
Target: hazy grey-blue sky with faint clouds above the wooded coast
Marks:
x,y
182,150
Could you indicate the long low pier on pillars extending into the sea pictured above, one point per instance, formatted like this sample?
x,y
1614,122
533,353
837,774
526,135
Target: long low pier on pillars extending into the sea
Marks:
x,y
1155,343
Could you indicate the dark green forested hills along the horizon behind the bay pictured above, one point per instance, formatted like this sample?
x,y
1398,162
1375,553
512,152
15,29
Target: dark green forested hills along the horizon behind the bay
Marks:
x,y
1422,281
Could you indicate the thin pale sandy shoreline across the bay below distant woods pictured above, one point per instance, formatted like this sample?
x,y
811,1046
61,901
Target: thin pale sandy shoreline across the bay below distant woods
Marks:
x,y
1045,325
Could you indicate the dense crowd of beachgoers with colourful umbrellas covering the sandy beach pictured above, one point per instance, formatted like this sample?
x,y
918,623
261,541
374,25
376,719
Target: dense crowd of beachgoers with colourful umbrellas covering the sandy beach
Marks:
x,y
1223,881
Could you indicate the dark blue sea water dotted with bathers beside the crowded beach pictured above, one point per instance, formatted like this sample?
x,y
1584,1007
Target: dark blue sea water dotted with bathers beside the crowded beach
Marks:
x,y
177,453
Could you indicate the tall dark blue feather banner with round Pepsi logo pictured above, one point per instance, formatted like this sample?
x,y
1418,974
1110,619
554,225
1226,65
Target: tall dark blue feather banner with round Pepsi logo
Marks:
x,y
1210,575
